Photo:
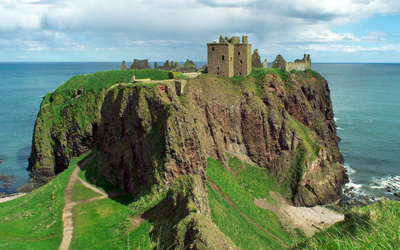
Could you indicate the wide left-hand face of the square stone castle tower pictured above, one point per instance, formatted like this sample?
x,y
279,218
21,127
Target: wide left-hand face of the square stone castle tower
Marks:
x,y
220,59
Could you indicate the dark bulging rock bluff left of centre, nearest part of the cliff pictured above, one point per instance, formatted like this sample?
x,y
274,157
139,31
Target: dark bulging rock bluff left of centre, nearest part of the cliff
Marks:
x,y
147,138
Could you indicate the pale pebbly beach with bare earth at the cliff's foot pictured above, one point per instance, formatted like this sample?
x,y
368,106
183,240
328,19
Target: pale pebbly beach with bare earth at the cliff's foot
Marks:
x,y
308,219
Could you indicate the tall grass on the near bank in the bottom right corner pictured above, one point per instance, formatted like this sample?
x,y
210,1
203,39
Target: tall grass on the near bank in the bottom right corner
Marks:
x,y
371,227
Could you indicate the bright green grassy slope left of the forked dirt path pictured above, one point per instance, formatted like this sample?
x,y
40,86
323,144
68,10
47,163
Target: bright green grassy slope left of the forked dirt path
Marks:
x,y
34,221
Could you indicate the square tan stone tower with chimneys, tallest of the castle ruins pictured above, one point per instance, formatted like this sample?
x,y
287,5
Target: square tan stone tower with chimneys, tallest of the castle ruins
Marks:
x,y
229,57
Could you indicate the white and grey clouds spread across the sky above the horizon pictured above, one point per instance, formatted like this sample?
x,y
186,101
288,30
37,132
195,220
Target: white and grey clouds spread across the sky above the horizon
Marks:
x,y
158,25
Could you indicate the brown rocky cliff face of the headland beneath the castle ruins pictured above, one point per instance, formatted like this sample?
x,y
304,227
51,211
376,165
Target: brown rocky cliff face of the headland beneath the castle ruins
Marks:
x,y
147,136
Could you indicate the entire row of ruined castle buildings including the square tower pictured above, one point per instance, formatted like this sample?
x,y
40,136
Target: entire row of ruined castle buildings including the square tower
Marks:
x,y
228,57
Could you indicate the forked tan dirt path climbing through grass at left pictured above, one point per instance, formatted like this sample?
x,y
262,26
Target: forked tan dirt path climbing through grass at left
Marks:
x,y
69,203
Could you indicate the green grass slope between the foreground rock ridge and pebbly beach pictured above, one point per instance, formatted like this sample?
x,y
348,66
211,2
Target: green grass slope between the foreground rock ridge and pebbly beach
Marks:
x,y
243,184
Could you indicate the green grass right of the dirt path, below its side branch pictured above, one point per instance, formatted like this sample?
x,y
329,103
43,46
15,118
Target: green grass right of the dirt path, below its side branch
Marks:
x,y
101,225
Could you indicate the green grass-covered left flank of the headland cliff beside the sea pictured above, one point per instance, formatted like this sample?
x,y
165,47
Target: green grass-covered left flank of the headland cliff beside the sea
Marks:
x,y
68,120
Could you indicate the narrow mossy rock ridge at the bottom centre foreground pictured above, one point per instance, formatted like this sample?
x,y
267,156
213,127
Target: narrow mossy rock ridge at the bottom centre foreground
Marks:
x,y
182,219
